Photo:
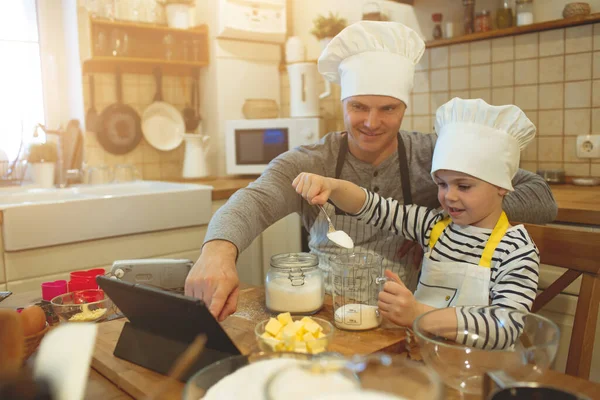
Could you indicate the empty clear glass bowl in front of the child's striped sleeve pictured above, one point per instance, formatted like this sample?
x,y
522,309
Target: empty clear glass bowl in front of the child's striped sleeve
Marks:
x,y
528,353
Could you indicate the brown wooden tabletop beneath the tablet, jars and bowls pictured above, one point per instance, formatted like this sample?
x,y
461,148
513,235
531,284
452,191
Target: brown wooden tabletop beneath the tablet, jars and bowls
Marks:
x,y
111,378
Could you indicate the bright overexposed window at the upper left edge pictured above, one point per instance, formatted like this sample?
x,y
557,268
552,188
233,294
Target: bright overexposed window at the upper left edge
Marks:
x,y
21,93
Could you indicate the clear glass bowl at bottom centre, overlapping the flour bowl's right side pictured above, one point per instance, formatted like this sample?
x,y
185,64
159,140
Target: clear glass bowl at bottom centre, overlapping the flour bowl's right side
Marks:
x,y
377,376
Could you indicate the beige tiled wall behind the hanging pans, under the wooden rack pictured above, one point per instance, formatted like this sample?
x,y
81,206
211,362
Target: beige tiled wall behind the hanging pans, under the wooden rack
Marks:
x,y
138,92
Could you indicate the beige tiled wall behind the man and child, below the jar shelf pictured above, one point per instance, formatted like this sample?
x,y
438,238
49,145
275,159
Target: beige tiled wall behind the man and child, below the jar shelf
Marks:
x,y
554,76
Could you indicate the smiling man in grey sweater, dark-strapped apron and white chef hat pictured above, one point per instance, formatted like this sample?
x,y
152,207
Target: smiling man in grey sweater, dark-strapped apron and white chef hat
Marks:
x,y
374,63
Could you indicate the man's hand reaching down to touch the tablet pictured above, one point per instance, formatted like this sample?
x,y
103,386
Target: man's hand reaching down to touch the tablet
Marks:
x,y
214,278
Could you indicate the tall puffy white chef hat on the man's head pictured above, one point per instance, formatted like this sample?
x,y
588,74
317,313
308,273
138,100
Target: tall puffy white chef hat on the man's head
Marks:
x,y
373,58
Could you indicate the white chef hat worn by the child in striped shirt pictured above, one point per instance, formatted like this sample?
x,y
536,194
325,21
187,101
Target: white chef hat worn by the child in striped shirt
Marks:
x,y
481,140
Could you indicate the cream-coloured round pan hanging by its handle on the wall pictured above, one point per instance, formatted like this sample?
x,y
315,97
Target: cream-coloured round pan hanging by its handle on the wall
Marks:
x,y
162,123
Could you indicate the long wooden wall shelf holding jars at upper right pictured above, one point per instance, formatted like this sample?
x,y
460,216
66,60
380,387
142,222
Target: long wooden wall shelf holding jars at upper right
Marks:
x,y
517,30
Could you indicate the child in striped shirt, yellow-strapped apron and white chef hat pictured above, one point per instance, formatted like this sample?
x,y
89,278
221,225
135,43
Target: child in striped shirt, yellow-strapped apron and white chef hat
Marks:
x,y
473,256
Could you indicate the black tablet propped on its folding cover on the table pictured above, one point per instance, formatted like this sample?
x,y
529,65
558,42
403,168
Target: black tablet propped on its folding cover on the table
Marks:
x,y
161,326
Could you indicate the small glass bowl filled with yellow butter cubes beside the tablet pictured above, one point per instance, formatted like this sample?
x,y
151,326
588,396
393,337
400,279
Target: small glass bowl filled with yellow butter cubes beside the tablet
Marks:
x,y
298,334
